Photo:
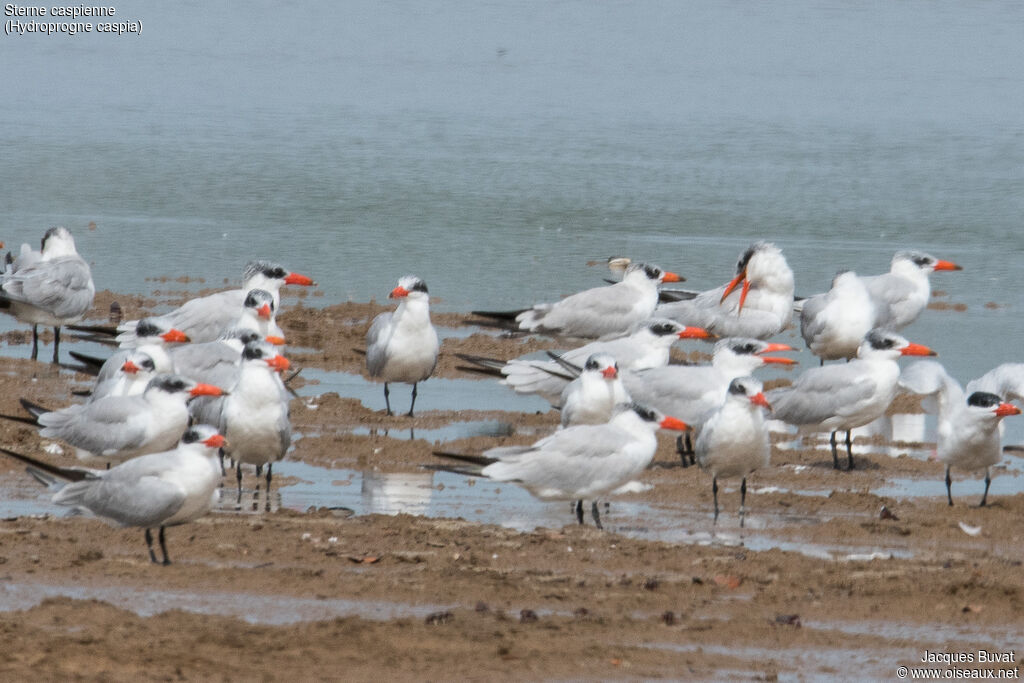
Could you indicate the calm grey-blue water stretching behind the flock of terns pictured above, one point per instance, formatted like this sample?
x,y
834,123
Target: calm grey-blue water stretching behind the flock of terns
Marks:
x,y
495,148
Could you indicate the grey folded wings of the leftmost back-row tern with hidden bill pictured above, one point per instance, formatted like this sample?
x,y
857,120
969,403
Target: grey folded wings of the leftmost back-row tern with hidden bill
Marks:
x,y
63,287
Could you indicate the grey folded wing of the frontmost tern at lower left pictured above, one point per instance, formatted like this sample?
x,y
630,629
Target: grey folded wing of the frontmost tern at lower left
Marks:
x,y
148,501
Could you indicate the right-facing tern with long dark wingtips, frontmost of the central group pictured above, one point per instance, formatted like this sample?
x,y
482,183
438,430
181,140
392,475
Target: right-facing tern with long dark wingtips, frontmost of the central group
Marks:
x,y
579,463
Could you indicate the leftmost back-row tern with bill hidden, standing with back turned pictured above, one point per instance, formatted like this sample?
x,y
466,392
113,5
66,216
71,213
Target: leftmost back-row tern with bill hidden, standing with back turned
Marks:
x,y
51,287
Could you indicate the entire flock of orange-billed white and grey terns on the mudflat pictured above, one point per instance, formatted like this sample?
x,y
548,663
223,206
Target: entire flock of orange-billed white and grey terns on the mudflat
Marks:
x,y
189,389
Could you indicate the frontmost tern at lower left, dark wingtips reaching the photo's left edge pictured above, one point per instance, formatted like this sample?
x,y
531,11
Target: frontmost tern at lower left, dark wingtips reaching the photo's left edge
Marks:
x,y
155,491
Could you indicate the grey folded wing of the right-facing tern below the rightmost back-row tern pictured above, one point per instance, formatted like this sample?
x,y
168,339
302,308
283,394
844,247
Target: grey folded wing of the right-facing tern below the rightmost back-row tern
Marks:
x,y
820,396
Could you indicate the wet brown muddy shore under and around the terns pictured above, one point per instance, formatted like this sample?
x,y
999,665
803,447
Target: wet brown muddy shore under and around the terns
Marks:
x,y
841,589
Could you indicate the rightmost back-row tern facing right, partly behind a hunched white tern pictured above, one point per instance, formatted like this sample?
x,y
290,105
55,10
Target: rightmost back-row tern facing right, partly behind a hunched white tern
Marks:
x,y
903,294
